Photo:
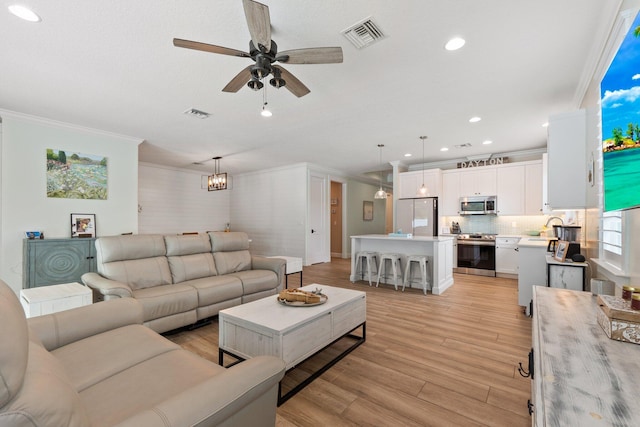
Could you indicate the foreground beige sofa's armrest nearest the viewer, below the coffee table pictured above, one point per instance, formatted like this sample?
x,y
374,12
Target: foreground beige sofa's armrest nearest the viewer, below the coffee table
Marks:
x,y
243,395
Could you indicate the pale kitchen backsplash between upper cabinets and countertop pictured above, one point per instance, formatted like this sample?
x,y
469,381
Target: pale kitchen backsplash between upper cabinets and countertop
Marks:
x,y
506,225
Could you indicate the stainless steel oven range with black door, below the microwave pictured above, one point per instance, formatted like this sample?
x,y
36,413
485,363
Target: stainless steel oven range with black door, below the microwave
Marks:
x,y
476,254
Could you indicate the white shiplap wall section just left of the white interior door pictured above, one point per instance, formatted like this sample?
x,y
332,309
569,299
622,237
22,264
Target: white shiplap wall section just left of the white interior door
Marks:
x,y
271,207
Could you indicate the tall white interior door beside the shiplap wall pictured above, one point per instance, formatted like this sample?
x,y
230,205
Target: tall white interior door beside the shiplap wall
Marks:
x,y
318,234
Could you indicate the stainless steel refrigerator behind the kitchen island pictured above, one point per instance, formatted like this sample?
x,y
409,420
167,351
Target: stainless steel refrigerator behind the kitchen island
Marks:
x,y
418,216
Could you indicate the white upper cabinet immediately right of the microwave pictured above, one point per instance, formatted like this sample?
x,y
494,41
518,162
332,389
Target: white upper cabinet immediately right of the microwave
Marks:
x,y
510,183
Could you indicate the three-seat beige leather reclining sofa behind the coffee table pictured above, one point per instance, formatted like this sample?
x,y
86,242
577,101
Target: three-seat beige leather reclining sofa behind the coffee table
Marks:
x,y
181,280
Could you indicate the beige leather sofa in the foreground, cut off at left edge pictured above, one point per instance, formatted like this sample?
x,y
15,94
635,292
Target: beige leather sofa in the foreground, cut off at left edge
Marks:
x,y
98,366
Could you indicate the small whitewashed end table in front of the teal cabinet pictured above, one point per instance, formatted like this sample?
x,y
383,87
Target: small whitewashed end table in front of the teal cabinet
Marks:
x,y
51,299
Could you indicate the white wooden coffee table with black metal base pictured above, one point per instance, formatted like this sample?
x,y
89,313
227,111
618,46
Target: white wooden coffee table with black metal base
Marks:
x,y
267,327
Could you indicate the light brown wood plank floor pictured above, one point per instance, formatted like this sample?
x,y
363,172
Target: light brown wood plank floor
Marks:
x,y
448,360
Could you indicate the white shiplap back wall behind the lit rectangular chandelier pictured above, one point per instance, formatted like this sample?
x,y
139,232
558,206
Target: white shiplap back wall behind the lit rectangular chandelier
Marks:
x,y
172,201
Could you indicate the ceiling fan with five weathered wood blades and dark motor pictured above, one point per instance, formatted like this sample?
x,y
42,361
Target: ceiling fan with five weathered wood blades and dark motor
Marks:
x,y
264,53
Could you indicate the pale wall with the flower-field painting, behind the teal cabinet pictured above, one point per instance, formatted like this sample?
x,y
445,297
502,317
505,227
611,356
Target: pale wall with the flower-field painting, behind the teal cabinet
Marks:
x,y
25,205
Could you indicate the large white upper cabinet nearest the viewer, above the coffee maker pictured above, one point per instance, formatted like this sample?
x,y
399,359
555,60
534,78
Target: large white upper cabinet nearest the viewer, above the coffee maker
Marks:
x,y
566,160
